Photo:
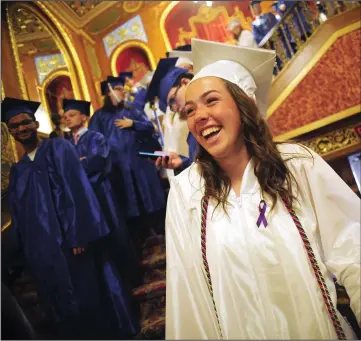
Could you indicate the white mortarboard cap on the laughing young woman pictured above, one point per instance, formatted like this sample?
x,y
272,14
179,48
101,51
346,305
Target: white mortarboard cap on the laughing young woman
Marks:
x,y
249,68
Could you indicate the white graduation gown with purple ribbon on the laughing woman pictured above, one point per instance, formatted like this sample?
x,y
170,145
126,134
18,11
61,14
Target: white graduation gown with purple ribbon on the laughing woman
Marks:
x,y
264,286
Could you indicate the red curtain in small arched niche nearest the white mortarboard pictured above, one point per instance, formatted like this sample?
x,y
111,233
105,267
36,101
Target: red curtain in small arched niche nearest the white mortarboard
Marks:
x,y
134,60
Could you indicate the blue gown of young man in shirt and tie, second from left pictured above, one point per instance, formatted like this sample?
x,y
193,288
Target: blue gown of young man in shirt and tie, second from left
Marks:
x,y
97,166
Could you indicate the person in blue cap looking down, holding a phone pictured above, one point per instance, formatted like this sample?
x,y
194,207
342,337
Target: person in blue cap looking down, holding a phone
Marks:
x,y
168,84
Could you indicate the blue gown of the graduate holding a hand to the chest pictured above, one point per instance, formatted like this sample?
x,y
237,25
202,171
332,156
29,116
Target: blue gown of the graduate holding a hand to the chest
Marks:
x,y
140,183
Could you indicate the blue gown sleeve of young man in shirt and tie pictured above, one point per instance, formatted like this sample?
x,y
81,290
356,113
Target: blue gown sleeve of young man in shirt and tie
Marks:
x,y
96,157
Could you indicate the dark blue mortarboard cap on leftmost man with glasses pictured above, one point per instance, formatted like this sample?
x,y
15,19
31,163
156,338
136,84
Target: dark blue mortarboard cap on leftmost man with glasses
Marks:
x,y
11,107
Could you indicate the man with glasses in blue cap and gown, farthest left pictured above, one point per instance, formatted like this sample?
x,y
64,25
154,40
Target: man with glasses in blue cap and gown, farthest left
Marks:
x,y
58,220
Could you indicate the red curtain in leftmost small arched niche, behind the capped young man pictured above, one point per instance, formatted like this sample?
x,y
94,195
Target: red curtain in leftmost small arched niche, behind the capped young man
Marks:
x,y
58,89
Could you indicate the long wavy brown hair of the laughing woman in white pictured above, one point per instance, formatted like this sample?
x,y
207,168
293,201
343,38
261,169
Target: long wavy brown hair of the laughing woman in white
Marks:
x,y
270,168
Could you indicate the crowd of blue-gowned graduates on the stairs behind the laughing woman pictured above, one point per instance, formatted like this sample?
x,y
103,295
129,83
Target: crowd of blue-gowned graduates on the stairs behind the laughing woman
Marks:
x,y
83,203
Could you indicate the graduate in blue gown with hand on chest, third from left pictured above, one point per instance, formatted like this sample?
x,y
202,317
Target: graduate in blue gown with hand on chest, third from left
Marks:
x,y
127,131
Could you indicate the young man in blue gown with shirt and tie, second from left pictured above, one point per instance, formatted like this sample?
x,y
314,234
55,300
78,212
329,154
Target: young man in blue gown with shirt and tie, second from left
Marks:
x,y
94,157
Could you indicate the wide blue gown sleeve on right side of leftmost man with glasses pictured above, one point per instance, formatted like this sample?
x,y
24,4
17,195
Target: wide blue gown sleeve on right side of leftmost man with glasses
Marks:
x,y
78,210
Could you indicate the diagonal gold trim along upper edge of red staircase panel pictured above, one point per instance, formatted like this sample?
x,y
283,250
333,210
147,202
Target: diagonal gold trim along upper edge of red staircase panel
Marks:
x,y
292,85
